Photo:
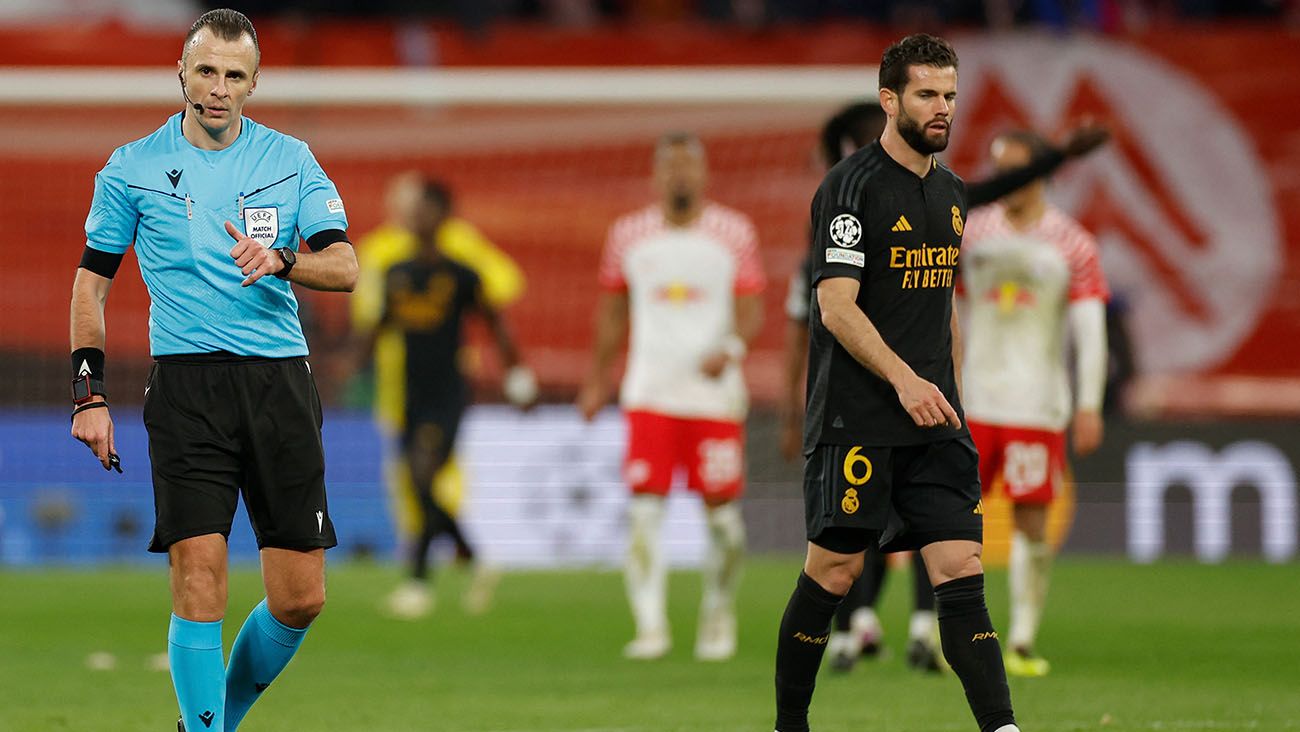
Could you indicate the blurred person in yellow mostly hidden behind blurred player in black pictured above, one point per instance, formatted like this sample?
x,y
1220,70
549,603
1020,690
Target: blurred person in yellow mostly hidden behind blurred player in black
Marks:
x,y
393,242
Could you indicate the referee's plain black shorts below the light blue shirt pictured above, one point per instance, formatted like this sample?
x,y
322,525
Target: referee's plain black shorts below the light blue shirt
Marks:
x,y
222,426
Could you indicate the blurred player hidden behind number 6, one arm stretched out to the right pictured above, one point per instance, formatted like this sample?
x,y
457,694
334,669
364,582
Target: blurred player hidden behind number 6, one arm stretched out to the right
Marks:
x,y
857,629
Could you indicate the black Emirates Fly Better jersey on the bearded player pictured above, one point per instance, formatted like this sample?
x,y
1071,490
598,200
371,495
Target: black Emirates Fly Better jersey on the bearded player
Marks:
x,y
900,237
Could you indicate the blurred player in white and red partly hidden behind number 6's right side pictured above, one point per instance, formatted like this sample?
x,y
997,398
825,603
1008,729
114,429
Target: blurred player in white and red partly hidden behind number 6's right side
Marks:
x,y
1030,274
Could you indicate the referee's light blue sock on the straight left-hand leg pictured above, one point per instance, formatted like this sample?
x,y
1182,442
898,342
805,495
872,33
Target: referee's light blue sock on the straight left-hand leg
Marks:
x,y
198,673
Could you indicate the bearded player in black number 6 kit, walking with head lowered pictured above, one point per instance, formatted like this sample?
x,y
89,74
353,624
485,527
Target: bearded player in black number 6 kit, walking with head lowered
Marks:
x,y
890,461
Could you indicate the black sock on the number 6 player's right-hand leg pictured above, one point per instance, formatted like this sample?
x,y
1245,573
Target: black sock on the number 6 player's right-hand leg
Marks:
x,y
972,648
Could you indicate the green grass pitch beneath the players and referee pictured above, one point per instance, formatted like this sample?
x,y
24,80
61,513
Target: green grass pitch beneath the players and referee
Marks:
x,y
1172,647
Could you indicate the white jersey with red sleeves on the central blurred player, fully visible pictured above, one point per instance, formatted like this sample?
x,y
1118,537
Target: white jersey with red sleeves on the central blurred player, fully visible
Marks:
x,y
682,283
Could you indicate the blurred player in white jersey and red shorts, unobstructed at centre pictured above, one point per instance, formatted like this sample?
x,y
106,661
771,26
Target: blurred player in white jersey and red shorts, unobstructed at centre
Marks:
x,y
687,272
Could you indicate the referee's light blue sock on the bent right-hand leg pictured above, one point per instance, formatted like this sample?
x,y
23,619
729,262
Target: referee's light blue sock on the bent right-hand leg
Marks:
x,y
261,653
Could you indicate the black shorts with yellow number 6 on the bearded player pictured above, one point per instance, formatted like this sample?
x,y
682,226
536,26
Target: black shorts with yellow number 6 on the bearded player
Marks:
x,y
896,499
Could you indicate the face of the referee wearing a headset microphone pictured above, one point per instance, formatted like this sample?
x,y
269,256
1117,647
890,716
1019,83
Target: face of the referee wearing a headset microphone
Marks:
x,y
219,75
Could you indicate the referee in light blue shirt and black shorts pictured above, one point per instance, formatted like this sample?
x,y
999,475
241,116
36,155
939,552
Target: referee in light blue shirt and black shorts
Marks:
x,y
215,205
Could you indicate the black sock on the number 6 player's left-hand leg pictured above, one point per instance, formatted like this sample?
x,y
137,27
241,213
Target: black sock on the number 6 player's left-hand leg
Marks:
x,y
799,652
